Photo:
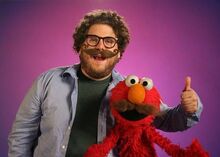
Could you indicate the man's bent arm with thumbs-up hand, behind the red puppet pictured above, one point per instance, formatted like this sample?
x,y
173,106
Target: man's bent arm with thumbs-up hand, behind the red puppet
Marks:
x,y
184,115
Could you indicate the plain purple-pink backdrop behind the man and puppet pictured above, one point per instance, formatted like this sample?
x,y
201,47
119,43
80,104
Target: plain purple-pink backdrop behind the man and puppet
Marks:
x,y
169,40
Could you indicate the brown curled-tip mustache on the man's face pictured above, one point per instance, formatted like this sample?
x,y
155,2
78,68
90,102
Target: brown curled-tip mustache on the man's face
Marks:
x,y
101,53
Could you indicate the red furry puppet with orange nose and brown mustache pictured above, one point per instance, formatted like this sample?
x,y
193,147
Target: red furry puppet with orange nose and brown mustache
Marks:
x,y
134,103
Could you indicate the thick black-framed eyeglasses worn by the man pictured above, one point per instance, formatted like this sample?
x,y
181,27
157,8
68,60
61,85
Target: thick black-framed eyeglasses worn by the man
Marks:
x,y
93,40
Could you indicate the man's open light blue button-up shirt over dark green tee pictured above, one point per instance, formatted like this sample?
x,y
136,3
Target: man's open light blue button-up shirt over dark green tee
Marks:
x,y
44,120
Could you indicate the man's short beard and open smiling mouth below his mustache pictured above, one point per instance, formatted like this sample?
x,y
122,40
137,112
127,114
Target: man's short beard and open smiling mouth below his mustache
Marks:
x,y
97,67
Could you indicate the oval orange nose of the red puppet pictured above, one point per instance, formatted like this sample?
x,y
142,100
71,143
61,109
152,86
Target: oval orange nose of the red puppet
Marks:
x,y
136,94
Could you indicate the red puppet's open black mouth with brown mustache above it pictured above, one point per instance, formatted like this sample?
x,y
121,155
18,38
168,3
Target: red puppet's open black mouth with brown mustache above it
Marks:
x,y
134,112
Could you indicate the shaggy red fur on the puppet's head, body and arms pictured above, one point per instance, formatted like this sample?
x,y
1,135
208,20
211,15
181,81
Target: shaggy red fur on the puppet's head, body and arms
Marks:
x,y
137,138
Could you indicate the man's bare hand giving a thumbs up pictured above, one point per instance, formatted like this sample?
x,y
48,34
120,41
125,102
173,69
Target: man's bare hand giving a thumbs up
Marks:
x,y
189,99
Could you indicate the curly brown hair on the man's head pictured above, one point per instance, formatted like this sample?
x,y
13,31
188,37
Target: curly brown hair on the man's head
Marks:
x,y
111,18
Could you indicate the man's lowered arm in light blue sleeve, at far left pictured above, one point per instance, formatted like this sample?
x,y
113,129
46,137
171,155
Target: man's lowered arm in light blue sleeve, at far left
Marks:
x,y
25,130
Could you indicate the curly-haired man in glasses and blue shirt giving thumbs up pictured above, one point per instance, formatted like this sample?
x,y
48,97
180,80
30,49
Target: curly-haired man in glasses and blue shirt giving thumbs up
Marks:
x,y
66,109
